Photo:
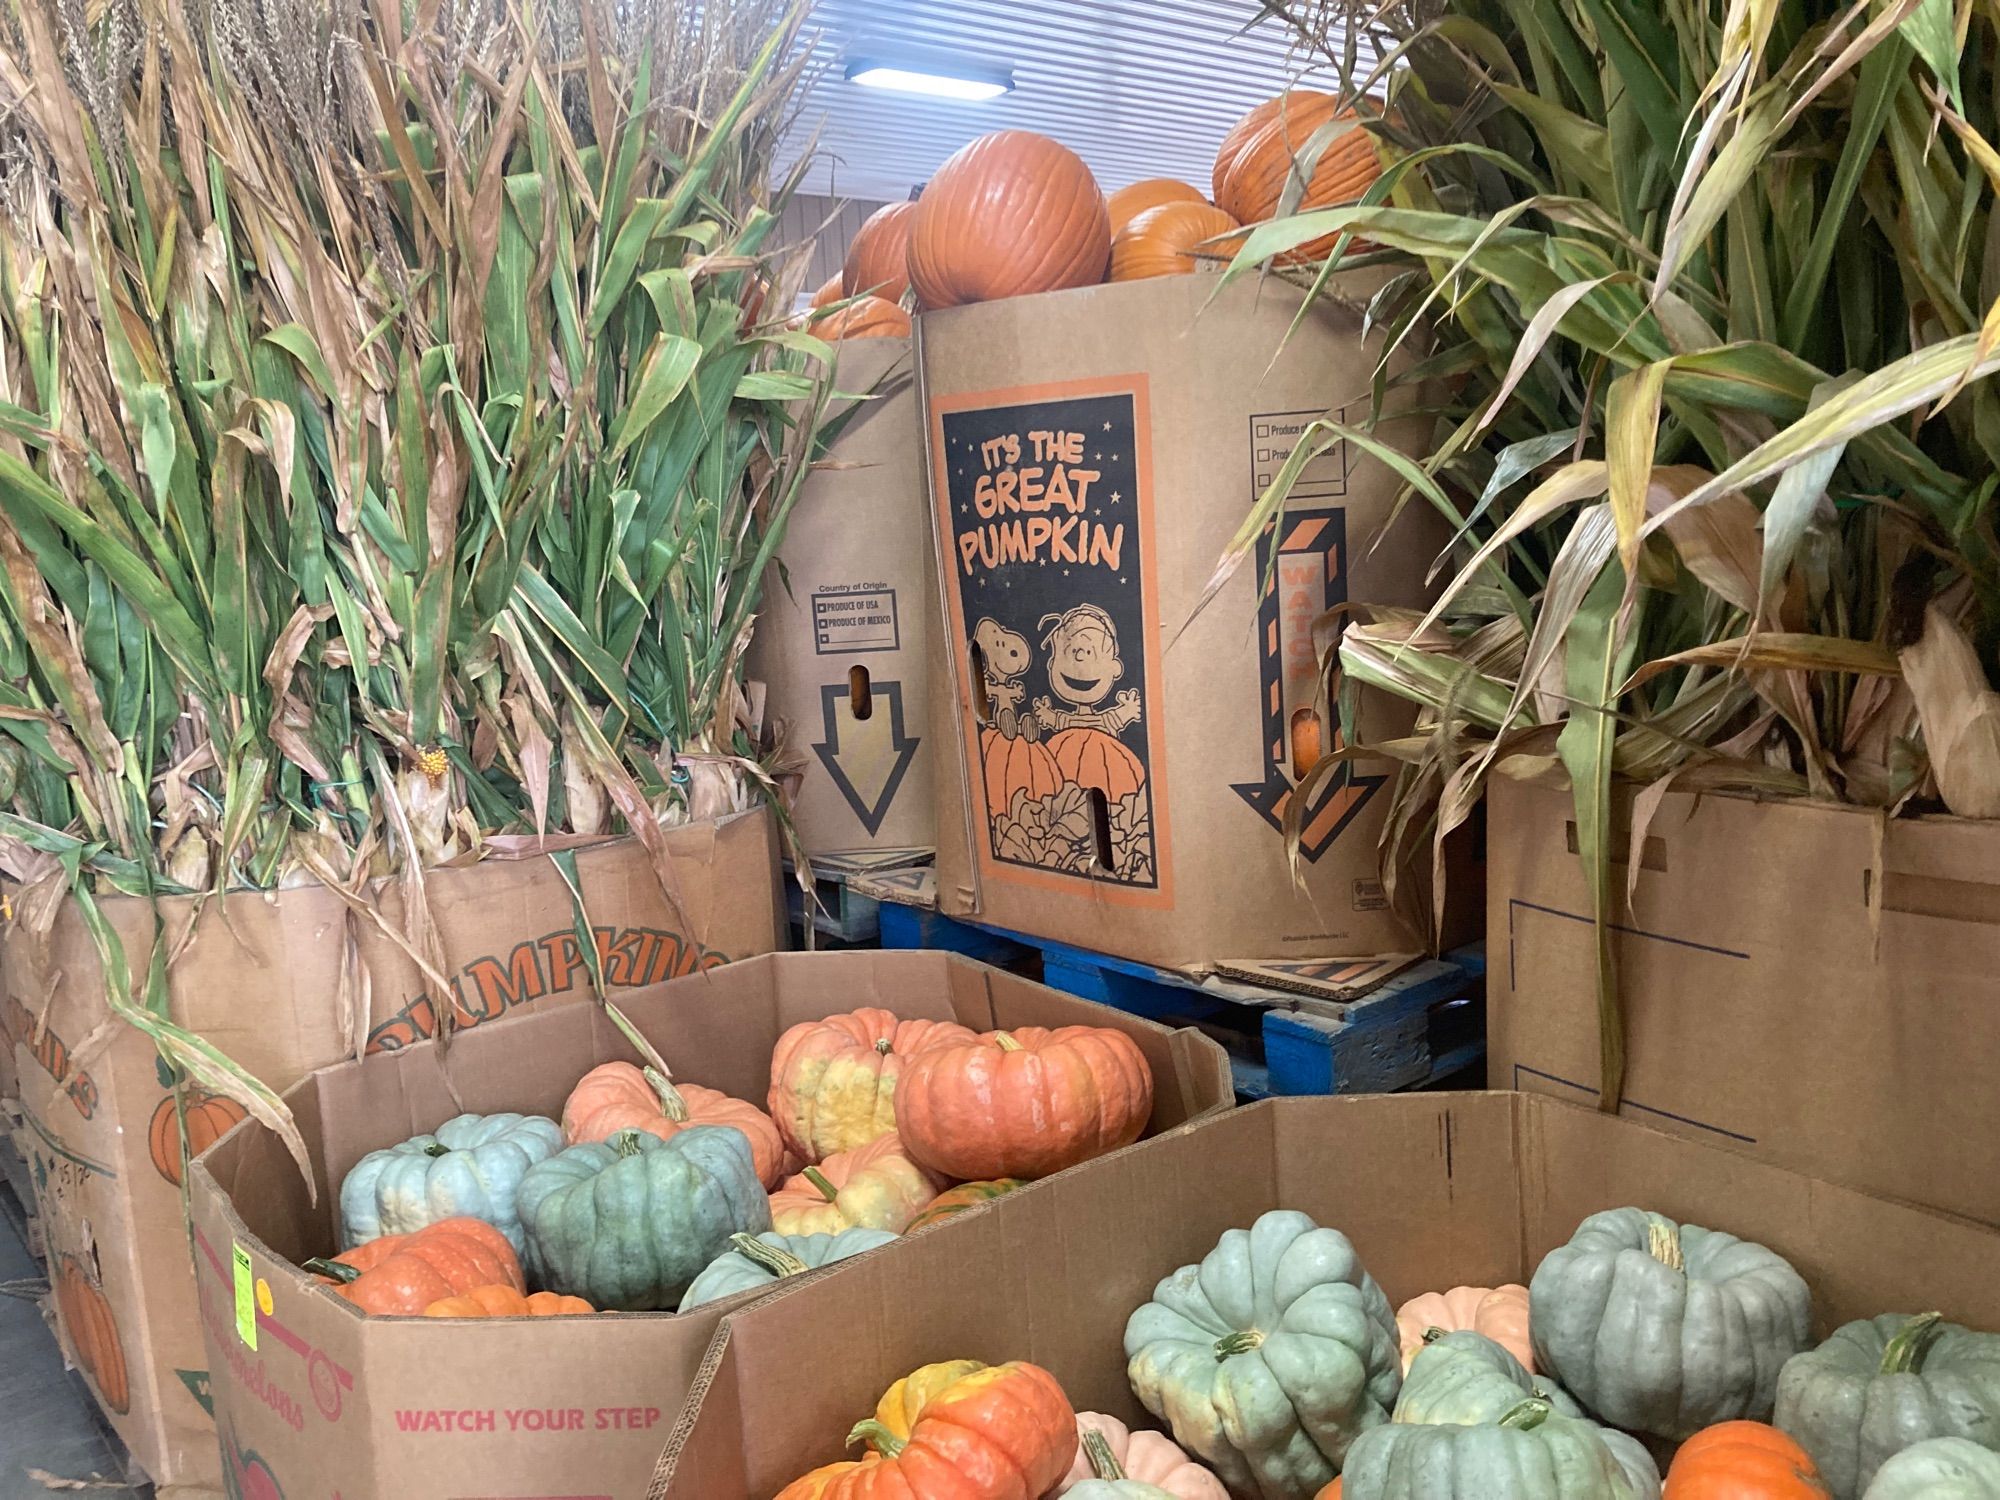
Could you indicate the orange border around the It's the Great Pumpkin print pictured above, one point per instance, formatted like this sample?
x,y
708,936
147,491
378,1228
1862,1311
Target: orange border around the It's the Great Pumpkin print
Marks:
x,y
941,499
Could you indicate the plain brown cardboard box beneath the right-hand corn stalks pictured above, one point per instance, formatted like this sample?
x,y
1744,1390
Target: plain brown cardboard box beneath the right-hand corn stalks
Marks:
x,y
1811,983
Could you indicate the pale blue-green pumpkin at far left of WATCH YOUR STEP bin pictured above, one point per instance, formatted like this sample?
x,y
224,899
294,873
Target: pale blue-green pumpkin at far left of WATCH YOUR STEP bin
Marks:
x,y
469,1167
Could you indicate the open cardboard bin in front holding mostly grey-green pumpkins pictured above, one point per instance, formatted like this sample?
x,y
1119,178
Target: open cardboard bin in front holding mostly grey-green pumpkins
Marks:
x,y
1433,1189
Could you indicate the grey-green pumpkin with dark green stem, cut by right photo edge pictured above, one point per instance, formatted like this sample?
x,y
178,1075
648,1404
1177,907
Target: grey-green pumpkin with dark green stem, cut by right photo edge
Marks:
x,y
1885,1385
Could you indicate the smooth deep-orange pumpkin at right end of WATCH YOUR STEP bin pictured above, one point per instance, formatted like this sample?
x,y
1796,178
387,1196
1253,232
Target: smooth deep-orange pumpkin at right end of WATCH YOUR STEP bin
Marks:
x,y
1025,1103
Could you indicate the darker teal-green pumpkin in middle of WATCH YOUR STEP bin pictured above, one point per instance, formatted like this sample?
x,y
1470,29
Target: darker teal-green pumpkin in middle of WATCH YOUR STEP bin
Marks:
x,y
629,1223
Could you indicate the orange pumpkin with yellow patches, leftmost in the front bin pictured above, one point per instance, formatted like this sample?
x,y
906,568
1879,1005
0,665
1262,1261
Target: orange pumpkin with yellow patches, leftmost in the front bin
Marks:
x,y
999,1431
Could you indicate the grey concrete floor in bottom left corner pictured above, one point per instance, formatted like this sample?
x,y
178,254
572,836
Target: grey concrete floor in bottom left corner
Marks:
x,y
49,1421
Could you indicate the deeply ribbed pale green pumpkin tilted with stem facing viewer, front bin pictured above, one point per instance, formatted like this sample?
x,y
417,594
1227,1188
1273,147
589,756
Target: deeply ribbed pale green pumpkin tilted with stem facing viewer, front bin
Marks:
x,y
1269,1357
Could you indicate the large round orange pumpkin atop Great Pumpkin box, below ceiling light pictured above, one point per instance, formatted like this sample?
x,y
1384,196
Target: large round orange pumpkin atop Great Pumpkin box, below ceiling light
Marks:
x,y
1009,215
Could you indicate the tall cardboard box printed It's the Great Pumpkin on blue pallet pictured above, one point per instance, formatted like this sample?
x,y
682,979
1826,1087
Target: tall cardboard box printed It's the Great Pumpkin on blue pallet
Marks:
x,y
1115,781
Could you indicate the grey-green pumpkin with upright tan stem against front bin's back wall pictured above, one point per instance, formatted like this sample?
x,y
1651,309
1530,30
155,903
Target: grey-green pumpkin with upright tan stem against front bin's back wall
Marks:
x,y
1667,1329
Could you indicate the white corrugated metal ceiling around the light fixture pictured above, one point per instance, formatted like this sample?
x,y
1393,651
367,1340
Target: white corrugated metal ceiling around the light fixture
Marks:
x,y
1139,89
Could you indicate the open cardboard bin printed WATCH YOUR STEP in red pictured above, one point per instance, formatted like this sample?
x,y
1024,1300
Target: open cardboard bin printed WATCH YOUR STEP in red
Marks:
x,y
335,1403
